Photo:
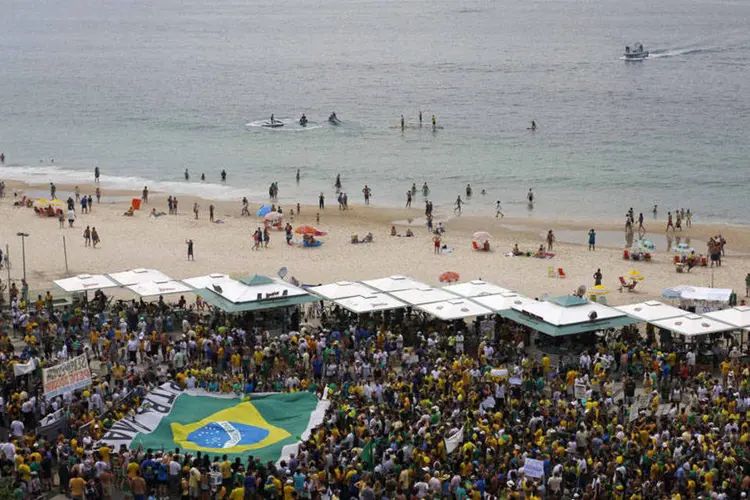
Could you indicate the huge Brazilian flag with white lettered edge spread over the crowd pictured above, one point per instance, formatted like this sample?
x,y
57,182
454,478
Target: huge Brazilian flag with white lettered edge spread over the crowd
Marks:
x,y
261,425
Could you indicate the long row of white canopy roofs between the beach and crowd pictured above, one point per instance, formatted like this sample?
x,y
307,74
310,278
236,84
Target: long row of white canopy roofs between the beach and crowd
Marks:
x,y
555,316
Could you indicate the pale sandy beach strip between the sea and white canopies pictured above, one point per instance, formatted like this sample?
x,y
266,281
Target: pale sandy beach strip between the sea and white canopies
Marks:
x,y
143,241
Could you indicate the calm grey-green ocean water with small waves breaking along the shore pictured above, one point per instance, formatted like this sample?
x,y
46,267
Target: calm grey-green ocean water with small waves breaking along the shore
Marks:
x,y
148,89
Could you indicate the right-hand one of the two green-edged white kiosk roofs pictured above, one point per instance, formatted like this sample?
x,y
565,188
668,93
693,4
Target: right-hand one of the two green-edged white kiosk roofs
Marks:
x,y
563,316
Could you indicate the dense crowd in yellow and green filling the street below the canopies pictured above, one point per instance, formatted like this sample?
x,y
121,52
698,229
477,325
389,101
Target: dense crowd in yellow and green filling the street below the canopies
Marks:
x,y
419,409
